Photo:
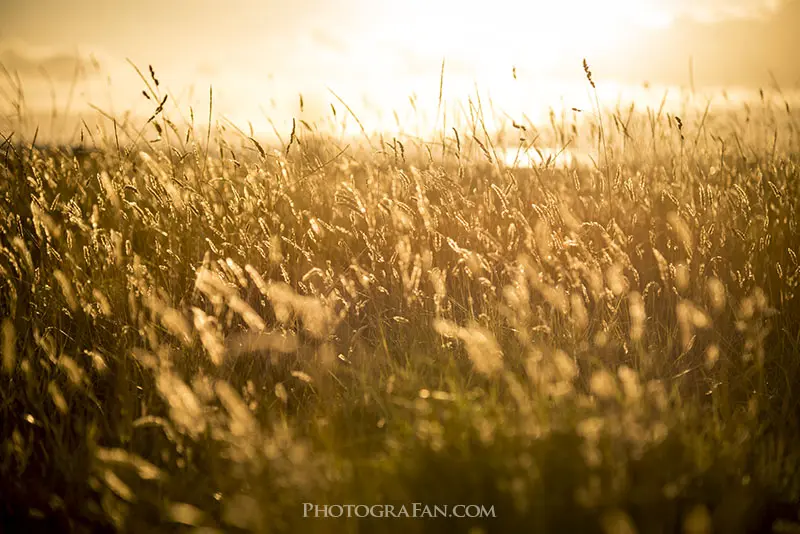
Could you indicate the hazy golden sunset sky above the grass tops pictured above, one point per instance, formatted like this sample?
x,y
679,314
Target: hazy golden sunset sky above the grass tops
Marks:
x,y
375,53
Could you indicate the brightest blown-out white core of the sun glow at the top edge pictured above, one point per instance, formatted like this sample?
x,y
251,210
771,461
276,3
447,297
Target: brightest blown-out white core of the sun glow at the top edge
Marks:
x,y
536,34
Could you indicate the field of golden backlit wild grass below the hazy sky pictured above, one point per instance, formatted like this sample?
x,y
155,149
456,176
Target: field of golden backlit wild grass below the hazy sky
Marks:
x,y
201,333
